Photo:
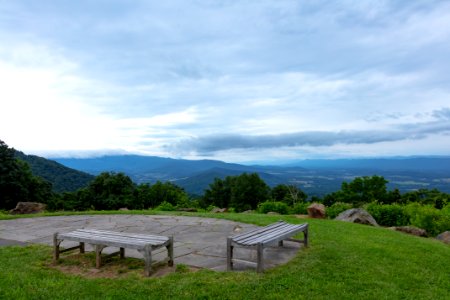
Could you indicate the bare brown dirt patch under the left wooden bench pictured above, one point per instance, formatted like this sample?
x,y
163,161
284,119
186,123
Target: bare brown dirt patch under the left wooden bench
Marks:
x,y
84,265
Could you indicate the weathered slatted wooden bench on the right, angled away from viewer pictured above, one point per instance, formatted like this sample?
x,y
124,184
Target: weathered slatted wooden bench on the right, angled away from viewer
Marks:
x,y
260,238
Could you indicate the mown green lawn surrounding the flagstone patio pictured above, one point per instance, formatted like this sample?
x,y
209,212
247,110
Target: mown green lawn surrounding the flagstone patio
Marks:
x,y
344,261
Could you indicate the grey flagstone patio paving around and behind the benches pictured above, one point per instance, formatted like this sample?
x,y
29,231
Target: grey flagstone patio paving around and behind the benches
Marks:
x,y
198,242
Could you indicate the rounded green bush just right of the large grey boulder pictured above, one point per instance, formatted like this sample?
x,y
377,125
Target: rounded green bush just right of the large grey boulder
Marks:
x,y
388,214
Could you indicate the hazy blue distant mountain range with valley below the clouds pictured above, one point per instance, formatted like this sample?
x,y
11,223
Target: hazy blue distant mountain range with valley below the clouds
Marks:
x,y
315,177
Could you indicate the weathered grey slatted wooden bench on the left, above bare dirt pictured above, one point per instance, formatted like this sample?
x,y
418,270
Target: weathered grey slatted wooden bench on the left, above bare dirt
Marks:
x,y
101,239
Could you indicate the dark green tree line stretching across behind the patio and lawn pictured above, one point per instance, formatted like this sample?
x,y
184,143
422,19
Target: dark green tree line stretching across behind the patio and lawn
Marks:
x,y
111,191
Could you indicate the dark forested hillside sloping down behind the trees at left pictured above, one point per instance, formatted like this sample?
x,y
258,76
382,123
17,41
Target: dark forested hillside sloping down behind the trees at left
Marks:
x,y
63,179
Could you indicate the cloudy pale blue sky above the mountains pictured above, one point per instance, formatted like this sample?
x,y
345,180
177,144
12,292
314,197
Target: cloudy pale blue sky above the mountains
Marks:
x,y
238,81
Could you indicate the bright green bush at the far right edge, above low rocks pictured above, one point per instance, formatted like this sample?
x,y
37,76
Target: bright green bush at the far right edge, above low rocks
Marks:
x,y
433,220
